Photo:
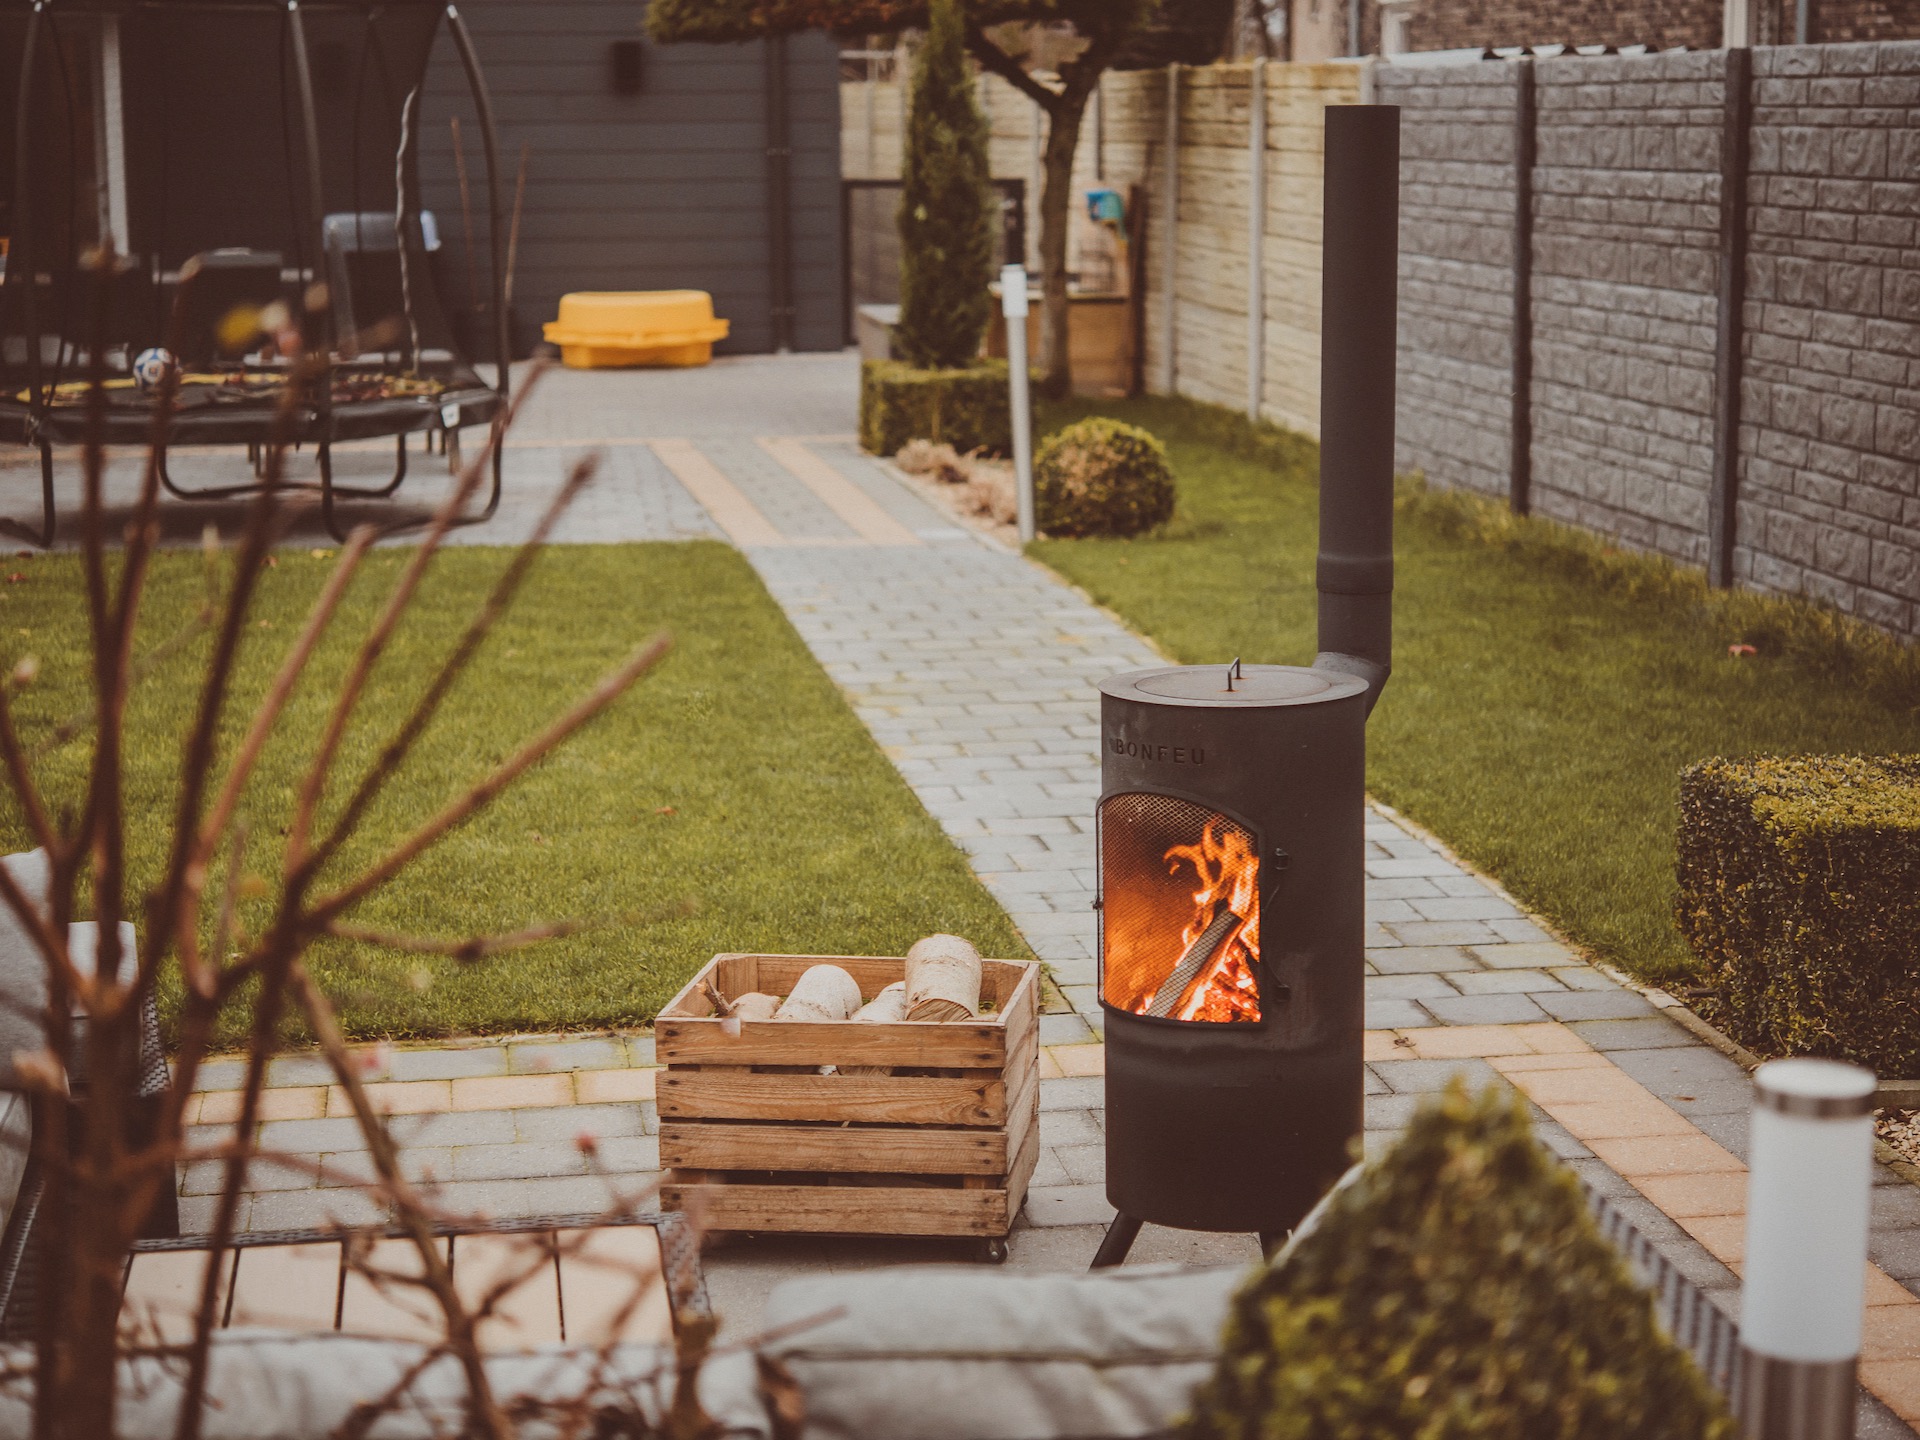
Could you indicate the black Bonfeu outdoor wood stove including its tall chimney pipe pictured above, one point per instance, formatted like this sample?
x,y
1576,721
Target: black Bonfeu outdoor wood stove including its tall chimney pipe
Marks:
x,y
1232,819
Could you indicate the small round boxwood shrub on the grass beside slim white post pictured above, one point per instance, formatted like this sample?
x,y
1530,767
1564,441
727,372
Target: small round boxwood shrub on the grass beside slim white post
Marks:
x,y
1101,479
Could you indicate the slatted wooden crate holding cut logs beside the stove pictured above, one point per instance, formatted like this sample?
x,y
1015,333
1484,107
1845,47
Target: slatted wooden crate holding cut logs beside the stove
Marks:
x,y
756,1140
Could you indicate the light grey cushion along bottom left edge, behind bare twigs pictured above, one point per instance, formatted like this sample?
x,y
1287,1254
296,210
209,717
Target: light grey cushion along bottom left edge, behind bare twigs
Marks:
x,y
270,1385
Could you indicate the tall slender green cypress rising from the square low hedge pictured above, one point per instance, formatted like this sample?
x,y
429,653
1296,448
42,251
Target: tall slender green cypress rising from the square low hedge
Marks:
x,y
946,204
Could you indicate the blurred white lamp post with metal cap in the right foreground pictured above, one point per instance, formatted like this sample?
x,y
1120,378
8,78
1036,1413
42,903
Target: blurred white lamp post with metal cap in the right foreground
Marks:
x,y
1806,1270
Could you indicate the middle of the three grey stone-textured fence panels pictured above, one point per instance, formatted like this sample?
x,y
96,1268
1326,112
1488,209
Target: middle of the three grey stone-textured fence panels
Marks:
x,y
1627,220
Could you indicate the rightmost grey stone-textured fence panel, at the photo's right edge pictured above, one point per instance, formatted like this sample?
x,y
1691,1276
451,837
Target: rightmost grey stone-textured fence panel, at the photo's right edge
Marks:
x,y
1831,406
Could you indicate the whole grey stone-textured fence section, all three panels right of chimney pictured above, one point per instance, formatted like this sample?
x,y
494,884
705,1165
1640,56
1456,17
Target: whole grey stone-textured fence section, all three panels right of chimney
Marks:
x,y
1625,281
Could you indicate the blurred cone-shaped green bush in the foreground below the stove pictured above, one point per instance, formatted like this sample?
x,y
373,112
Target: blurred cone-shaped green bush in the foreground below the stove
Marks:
x,y
1458,1289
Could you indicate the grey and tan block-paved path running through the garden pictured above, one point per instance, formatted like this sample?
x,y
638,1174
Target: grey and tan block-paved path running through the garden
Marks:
x,y
976,671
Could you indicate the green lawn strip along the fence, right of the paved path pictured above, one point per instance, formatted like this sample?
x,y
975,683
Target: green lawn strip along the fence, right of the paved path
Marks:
x,y
1547,692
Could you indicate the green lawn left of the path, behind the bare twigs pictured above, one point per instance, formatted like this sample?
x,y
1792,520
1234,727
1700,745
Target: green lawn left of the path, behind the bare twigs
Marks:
x,y
729,804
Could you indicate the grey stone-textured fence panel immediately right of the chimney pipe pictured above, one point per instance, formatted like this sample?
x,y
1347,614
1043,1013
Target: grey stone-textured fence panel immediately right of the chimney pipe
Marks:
x,y
1456,272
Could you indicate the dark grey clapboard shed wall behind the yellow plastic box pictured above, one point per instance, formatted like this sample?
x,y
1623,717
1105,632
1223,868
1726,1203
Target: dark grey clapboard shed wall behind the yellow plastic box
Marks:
x,y
660,191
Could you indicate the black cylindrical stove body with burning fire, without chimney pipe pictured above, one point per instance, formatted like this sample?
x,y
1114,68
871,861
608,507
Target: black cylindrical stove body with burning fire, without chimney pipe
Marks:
x,y
1232,949
